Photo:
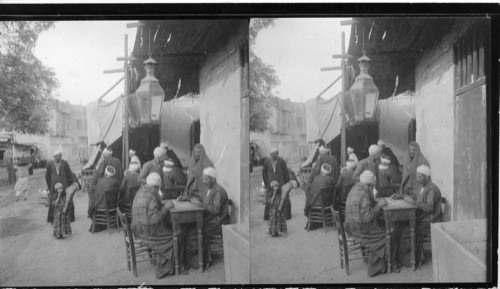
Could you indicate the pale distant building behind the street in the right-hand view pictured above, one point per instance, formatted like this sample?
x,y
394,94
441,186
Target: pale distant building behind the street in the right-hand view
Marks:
x,y
286,130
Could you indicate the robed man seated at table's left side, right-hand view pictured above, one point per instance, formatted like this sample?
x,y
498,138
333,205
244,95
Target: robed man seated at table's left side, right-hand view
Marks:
x,y
363,221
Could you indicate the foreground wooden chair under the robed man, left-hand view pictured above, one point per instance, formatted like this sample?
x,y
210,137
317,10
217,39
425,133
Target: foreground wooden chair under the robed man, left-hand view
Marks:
x,y
136,250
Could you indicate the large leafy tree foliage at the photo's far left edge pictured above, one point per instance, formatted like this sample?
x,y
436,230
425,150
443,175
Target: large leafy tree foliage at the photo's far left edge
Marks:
x,y
26,85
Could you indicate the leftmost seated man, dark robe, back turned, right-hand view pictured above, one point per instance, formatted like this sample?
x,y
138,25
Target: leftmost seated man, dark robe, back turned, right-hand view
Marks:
x,y
313,198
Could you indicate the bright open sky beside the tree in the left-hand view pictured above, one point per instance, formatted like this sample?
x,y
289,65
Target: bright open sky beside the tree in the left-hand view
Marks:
x,y
79,52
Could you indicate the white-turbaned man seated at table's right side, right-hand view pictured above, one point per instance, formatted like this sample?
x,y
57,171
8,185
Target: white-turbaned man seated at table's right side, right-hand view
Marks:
x,y
428,209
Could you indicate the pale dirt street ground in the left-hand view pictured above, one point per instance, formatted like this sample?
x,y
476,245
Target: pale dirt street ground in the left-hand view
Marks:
x,y
32,257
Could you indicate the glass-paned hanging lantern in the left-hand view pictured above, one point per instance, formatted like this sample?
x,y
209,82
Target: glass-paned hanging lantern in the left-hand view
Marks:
x,y
149,95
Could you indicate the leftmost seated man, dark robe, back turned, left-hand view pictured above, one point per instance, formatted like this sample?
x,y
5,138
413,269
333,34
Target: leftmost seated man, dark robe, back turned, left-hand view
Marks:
x,y
108,183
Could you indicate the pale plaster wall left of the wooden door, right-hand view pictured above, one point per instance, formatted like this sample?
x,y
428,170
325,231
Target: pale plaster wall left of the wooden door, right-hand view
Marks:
x,y
435,110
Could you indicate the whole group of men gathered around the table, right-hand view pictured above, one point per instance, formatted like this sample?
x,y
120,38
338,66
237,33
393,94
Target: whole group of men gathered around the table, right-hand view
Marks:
x,y
360,188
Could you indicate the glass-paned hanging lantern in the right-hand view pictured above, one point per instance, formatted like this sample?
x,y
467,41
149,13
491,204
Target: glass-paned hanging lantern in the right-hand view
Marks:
x,y
363,95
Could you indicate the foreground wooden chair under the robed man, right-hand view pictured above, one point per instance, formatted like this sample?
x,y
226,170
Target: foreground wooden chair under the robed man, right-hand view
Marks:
x,y
349,248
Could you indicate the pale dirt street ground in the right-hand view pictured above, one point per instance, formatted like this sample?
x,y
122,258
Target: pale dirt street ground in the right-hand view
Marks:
x,y
307,257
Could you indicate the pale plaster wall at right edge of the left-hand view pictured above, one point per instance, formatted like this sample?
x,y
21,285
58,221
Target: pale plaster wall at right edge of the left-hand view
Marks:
x,y
221,123
